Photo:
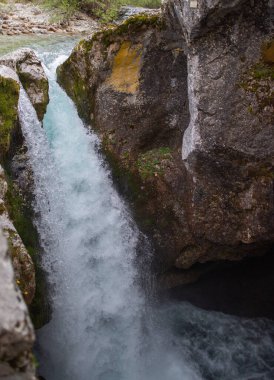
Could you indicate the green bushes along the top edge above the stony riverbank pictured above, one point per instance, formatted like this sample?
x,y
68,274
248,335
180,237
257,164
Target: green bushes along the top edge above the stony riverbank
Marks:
x,y
105,10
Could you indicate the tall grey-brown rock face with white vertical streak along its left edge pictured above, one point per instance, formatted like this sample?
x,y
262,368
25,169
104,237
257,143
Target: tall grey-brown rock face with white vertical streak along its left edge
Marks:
x,y
228,145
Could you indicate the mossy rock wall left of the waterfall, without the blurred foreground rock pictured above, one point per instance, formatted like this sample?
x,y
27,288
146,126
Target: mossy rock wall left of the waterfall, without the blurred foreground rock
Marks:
x,y
16,198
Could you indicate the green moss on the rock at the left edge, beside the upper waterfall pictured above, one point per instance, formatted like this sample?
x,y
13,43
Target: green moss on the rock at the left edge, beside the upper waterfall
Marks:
x,y
9,95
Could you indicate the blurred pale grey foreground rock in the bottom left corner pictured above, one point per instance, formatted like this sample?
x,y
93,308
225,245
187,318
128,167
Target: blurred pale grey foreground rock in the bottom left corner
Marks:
x,y
16,331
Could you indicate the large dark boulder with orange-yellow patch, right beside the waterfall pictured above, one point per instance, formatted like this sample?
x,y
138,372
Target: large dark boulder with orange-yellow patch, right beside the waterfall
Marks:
x,y
130,83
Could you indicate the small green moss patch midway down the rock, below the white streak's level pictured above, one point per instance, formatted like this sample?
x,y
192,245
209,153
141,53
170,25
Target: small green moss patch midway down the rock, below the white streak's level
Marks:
x,y
151,163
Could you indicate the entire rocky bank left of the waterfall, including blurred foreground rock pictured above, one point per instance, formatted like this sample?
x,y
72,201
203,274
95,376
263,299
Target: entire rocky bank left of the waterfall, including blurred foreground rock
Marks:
x,y
19,69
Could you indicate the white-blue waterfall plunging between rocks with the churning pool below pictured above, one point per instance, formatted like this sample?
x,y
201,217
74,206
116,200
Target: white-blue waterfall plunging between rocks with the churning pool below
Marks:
x,y
102,327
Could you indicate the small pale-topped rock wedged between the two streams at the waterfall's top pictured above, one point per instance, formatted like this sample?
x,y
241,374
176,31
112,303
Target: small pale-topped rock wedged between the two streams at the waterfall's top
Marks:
x,y
32,77
